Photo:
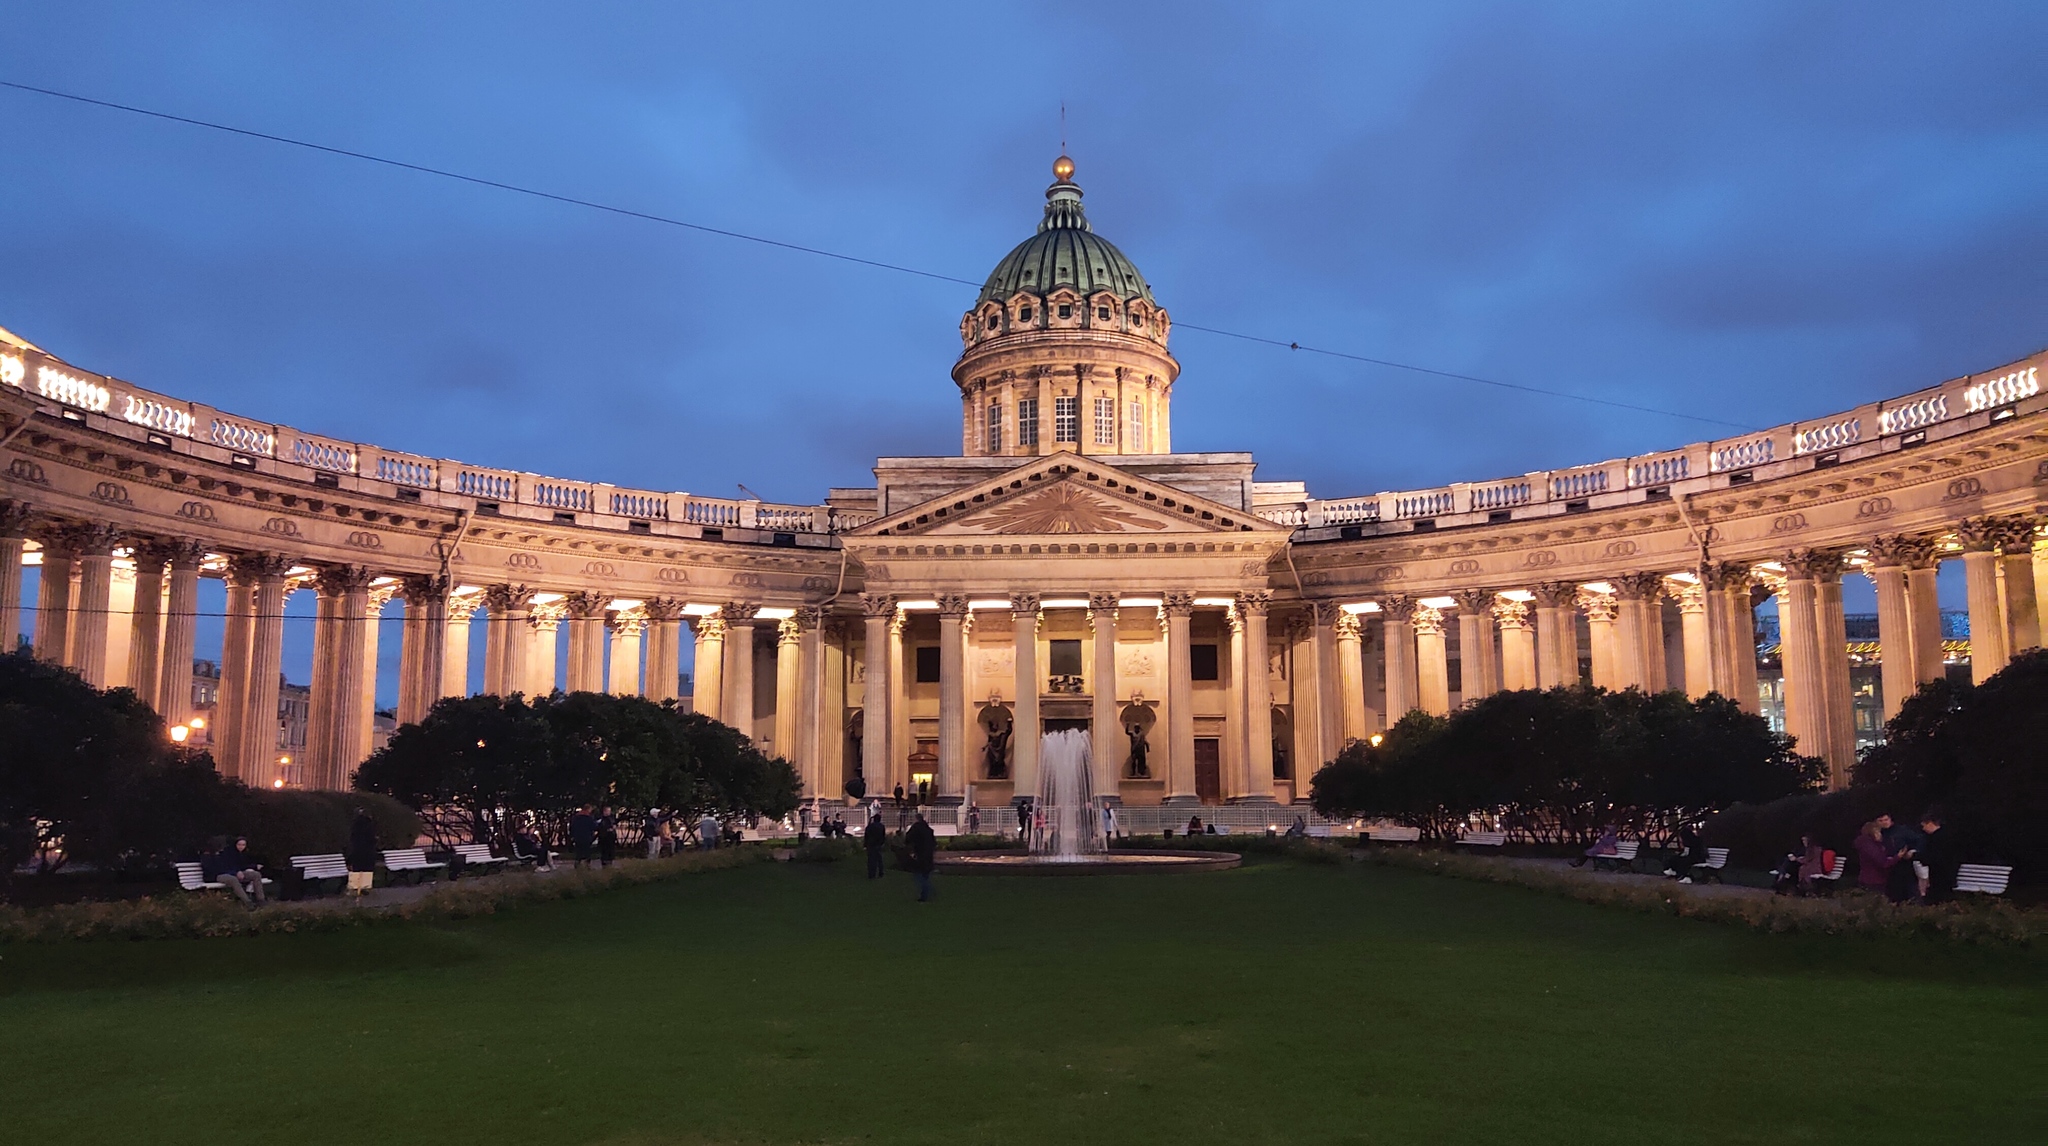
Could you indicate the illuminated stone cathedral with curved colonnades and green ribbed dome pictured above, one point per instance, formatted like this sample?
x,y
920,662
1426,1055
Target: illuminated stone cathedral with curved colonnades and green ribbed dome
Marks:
x,y
1218,635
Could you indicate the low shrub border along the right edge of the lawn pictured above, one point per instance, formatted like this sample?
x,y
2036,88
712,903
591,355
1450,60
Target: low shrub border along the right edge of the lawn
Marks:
x,y
1992,924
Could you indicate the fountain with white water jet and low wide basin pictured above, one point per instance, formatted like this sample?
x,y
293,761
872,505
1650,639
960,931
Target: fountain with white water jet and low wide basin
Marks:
x,y
1066,828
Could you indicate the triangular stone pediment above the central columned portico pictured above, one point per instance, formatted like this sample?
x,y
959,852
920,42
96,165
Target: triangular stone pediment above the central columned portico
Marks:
x,y
1068,496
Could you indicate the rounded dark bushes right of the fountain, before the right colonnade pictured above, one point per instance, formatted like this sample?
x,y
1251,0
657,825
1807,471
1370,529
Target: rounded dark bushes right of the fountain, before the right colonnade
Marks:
x,y
1555,766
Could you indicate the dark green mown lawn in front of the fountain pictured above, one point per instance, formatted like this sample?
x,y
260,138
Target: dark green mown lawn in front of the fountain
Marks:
x,y
802,1004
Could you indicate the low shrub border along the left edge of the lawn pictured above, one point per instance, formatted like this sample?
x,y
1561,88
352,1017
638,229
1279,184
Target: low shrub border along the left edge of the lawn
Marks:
x,y
191,916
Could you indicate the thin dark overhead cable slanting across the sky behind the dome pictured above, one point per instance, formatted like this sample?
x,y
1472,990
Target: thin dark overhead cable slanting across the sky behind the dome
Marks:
x,y
822,253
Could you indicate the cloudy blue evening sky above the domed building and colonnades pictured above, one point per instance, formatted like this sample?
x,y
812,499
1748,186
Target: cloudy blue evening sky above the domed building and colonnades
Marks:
x,y
1748,212
